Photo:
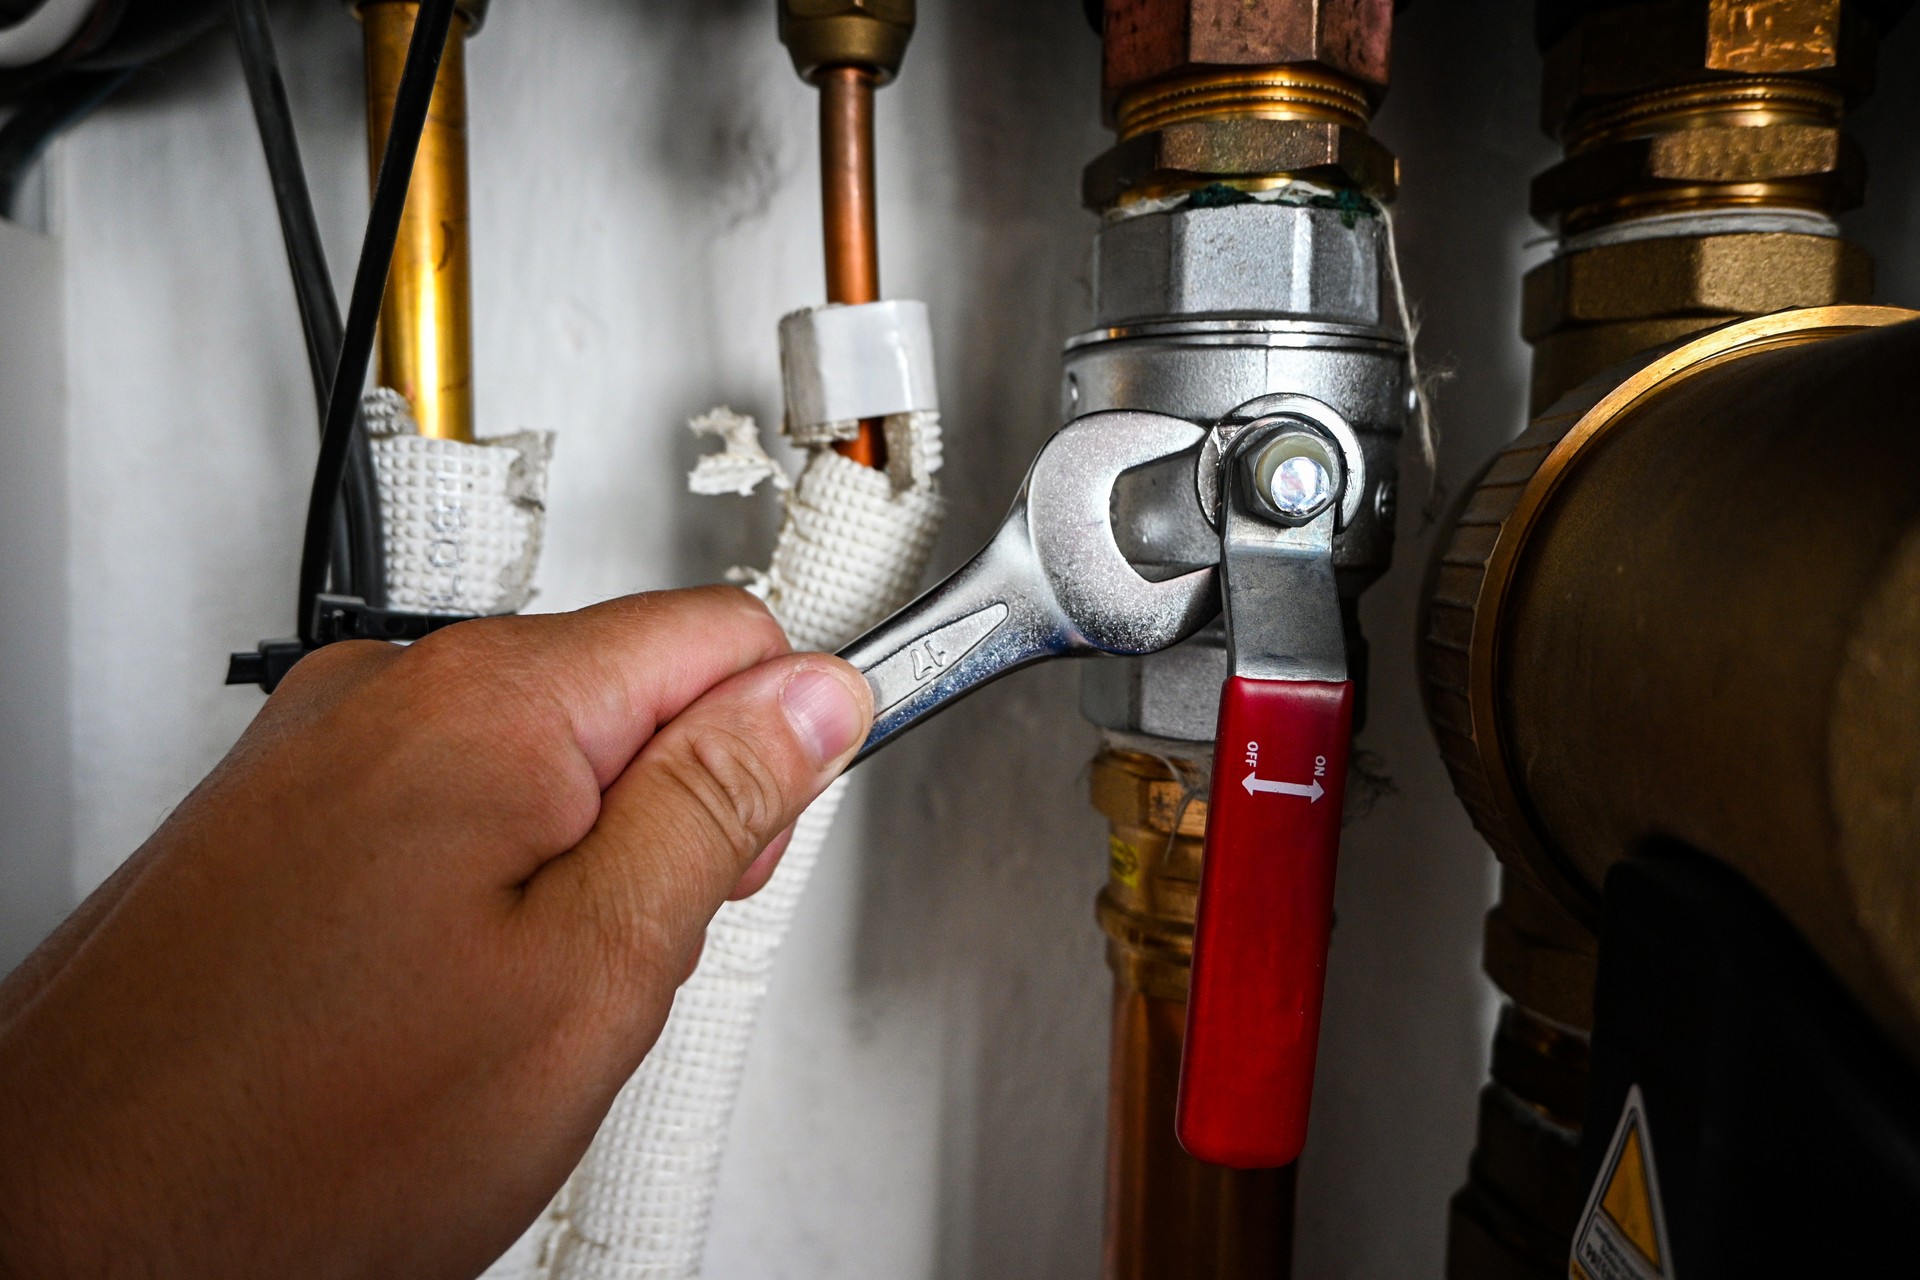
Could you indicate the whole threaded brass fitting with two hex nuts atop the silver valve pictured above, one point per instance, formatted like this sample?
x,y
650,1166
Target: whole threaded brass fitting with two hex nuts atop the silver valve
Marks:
x,y
1218,91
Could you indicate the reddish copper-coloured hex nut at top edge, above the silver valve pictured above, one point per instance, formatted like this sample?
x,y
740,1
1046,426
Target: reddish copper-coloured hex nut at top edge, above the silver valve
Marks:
x,y
1155,39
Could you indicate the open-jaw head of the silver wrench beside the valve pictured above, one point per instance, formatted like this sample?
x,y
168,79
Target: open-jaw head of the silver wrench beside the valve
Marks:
x,y
1070,515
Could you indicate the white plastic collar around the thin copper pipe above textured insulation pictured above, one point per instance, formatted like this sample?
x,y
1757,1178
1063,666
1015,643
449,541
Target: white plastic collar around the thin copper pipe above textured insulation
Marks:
x,y
850,364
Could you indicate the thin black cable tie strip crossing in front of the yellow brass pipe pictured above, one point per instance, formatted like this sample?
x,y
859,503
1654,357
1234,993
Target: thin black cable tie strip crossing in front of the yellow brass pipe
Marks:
x,y
431,26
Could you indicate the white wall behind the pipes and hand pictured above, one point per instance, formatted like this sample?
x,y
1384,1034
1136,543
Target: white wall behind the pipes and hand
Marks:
x,y
926,1097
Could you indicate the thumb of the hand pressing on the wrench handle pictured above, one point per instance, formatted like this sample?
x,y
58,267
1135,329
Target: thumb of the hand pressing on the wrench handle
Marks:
x,y
700,803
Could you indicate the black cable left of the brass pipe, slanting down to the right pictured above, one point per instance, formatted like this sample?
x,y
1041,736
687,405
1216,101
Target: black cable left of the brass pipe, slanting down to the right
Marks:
x,y
356,557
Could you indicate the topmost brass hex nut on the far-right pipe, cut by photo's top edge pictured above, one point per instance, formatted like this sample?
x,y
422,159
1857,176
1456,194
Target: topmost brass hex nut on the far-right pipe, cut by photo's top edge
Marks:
x,y
1668,43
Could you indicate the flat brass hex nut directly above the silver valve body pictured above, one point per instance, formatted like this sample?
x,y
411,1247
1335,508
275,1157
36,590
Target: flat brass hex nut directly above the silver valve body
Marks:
x,y
1239,153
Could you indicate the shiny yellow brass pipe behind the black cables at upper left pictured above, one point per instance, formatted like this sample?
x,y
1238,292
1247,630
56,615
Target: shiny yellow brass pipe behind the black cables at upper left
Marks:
x,y
427,314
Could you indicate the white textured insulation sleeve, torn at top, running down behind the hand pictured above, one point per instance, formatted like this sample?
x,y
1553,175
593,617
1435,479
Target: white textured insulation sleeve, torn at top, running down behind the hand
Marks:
x,y
853,550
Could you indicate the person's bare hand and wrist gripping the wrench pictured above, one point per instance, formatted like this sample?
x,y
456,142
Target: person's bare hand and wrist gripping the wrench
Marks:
x,y
360,1005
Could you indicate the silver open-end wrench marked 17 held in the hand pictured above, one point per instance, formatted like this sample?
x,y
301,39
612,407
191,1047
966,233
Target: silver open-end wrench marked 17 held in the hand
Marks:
x,y
1051,584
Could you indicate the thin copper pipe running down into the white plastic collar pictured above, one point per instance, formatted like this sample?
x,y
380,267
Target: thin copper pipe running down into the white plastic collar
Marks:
x,y
848,212
